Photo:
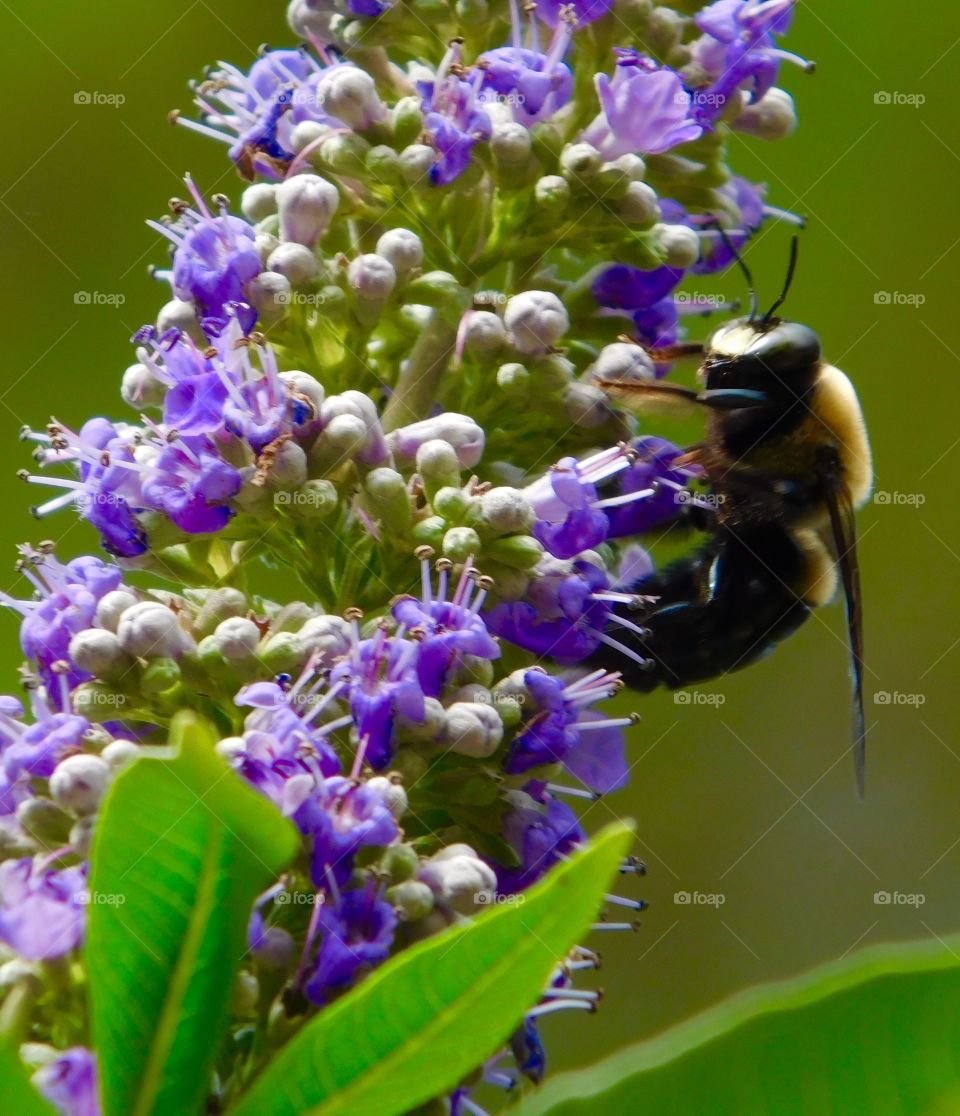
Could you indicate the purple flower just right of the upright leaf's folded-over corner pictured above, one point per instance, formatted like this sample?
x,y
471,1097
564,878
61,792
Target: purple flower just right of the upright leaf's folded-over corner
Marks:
x,y
342,816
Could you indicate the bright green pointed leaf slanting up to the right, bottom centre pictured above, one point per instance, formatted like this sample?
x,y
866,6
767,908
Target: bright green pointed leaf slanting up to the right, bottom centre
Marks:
x,y
429,1017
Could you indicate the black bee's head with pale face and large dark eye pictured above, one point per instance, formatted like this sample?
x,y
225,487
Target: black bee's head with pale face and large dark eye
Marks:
x,y
779,359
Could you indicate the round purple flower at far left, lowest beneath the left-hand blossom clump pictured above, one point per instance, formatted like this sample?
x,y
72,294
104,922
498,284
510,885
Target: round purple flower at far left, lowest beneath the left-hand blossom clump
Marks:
x,y
193,485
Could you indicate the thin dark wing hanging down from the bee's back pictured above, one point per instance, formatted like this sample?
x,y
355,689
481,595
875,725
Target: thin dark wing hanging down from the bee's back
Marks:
x,y
843,530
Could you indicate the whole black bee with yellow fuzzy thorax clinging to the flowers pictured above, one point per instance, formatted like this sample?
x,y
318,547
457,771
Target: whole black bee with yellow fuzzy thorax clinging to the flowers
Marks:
x,y
788,461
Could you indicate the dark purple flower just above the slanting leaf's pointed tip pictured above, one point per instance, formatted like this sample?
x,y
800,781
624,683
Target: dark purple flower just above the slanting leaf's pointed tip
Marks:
x,y
542,832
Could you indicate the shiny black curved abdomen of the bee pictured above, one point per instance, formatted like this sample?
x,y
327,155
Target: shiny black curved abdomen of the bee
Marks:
x,y
695,634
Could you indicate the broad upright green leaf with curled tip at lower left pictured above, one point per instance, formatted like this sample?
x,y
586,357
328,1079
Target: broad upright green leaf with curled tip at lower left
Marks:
x,y
183,849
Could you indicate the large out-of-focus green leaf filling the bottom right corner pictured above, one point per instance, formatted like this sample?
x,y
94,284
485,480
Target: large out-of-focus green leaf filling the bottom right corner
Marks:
x,y
877,1033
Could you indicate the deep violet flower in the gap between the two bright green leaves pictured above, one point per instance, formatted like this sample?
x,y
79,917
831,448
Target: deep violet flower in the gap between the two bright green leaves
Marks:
x,y
358,936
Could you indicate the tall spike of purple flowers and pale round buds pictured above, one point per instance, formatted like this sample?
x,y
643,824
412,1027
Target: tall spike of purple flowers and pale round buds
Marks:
x,y
377,379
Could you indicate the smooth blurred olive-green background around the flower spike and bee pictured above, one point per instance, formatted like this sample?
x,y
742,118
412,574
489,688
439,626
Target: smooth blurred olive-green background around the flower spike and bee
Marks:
x,y
750,798
